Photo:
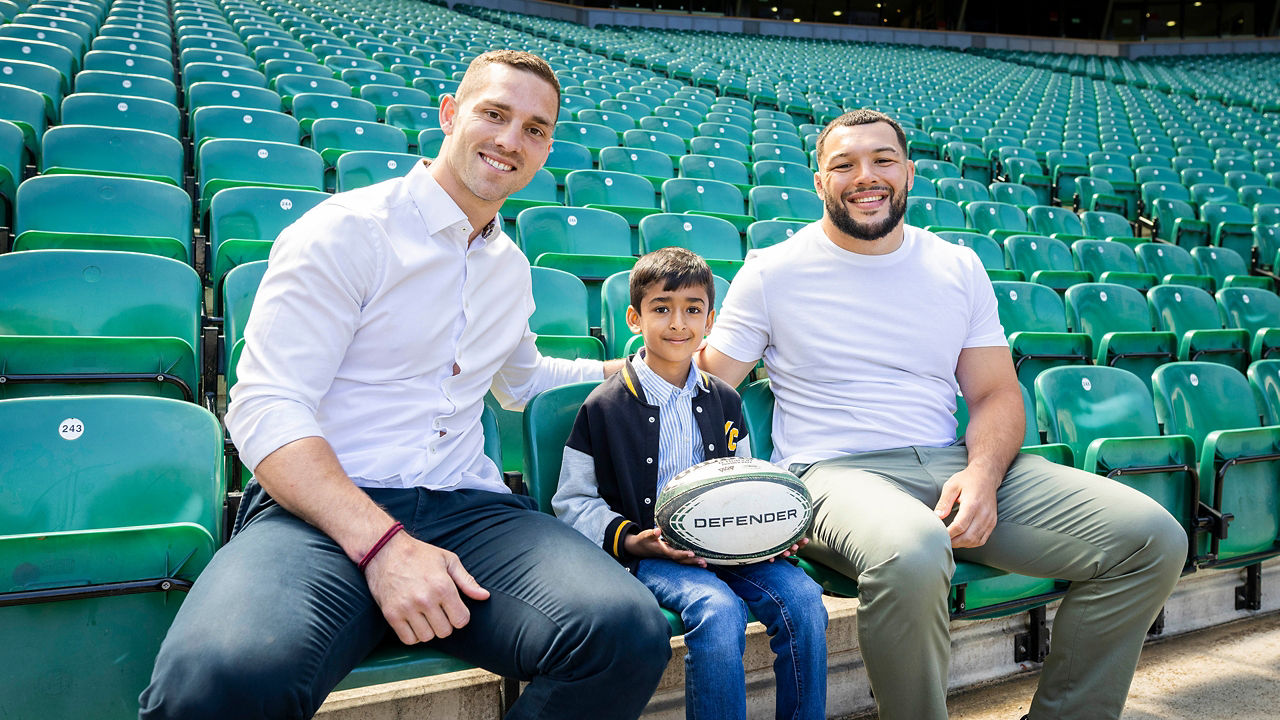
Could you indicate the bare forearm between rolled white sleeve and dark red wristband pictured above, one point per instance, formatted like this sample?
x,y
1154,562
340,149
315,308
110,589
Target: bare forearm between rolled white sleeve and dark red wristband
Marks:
x,y
307,480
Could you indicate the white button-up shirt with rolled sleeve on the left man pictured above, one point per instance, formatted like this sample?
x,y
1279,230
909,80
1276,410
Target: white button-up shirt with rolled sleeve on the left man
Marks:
x,y
368,304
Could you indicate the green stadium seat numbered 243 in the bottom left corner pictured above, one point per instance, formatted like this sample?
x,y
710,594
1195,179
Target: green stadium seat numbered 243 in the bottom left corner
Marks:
x,y
99,564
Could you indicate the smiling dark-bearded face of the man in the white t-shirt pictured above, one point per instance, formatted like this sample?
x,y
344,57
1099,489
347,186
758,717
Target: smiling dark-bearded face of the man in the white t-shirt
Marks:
x,y
863,179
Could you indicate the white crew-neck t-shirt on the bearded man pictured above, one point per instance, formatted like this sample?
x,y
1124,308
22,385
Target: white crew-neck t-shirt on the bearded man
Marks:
x,y
861,349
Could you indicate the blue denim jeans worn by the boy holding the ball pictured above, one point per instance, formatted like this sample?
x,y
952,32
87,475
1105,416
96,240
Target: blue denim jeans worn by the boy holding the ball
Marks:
x,y
714,601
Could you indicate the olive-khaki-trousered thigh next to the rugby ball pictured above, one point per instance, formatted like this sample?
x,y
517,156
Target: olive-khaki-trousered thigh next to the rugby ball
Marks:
x,y
865,517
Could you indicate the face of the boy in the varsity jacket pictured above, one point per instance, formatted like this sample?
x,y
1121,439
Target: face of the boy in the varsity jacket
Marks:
x,y
673,322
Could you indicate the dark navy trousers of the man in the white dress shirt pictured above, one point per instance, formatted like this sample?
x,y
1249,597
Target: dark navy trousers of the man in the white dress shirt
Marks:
x,y
281,616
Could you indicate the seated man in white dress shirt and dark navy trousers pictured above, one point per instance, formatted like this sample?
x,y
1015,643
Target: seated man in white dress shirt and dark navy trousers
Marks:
x,y
385,317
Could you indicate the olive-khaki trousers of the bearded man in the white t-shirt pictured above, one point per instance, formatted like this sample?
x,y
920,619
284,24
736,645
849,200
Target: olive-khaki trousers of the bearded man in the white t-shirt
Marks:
x,y
1122,553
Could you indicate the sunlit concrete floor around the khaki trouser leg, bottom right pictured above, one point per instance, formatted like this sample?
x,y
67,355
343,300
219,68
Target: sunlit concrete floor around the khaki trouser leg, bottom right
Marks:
x,y
1229,672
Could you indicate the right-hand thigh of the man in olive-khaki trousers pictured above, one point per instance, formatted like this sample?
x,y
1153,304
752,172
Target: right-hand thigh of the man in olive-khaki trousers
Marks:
x,y
1059,522
